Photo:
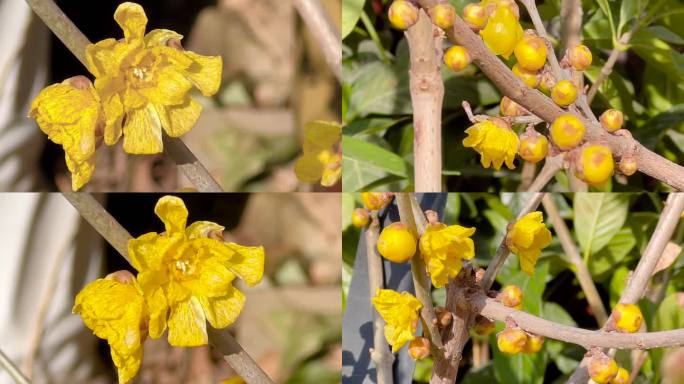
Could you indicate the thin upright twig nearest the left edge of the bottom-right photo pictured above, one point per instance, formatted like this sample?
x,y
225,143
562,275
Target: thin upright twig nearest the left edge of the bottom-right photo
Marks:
x,y
380,353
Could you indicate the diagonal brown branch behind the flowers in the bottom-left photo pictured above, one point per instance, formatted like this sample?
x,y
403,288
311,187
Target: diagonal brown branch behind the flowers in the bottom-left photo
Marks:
x,y
107,226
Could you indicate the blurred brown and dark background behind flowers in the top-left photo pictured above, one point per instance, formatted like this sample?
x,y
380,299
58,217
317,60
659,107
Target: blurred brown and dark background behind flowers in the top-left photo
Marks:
x,y
275,79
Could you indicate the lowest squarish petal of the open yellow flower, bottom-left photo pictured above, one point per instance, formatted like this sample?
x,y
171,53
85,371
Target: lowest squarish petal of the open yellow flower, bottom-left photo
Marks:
x,y
187,324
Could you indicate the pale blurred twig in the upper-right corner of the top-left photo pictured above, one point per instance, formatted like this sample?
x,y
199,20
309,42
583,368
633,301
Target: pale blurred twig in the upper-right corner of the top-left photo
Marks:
x,y
325,33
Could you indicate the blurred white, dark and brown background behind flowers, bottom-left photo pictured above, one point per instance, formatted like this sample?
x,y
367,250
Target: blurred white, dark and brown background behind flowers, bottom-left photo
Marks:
x,y
290,325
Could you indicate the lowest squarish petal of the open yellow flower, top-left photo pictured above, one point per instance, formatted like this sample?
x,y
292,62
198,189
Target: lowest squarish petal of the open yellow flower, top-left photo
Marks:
x,y
142,132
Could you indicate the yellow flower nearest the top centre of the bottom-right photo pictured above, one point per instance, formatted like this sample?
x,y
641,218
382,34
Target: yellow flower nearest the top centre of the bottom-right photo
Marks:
x,y
527,238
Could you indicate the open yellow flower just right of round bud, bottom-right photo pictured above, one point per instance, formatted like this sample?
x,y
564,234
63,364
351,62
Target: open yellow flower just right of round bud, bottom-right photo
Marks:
x,y
443,248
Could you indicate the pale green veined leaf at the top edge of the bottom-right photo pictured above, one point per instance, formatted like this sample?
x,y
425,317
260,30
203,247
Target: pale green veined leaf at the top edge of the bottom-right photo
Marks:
x,y
598,217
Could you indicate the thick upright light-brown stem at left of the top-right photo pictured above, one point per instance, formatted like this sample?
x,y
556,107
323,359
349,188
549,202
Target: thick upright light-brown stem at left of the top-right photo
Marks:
x,y
427,93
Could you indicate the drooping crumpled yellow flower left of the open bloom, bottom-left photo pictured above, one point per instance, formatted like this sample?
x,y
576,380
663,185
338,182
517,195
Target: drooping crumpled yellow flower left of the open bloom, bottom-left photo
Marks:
x,y
114,309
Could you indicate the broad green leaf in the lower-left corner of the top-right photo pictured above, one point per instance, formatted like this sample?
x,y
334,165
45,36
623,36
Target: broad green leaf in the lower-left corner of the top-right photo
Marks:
x,y
364,163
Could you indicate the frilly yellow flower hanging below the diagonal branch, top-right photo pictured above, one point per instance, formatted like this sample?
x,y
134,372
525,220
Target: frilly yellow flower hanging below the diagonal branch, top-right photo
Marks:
x,y
494,141
